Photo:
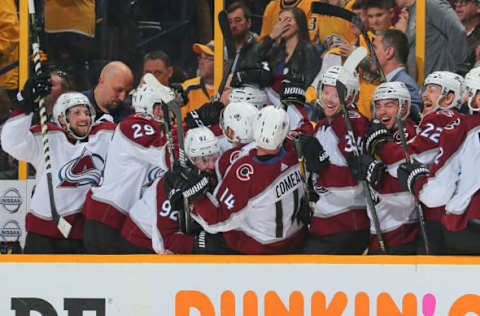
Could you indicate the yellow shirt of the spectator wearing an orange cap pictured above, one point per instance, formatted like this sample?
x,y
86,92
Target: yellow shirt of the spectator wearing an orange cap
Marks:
x,y
198,94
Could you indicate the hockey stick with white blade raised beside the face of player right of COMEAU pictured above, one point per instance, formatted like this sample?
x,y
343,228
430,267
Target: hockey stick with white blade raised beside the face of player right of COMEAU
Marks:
x,y
345,73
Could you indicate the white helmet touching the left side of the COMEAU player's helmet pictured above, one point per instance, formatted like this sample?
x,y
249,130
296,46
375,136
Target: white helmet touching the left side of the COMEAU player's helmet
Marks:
x,y
239,116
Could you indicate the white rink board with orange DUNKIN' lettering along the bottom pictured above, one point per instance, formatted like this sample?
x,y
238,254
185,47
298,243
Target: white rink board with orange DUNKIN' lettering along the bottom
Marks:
x,y
243,286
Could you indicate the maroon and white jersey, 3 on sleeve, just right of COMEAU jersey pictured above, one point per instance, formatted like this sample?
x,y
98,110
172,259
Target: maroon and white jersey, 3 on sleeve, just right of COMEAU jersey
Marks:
x,y
341,204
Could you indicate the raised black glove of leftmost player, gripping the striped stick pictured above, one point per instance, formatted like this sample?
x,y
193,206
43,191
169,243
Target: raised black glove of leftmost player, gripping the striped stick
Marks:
x,y
35,89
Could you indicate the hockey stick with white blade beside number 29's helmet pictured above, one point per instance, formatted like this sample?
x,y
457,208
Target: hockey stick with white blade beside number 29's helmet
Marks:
x,y
173,106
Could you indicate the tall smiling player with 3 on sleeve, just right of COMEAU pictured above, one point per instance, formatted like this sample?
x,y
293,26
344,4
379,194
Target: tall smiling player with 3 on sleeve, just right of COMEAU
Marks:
x,y
339,224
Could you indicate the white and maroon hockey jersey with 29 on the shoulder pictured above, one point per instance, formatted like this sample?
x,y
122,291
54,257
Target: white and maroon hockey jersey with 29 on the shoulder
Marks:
x,y
137,155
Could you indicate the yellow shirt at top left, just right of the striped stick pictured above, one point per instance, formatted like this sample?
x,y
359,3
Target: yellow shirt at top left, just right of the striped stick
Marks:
x,y
70,16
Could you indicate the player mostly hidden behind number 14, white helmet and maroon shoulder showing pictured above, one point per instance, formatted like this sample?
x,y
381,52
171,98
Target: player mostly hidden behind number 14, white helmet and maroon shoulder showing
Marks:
x,y
236,122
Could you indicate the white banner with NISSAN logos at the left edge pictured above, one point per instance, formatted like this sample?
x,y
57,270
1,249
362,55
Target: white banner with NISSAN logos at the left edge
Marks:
x,y
14,203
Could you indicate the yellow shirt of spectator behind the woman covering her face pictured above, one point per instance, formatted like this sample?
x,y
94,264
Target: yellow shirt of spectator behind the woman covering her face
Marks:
x,y
272,11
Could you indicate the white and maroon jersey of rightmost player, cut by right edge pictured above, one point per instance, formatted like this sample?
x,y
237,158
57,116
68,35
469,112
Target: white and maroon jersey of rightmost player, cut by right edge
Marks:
x,y
454,180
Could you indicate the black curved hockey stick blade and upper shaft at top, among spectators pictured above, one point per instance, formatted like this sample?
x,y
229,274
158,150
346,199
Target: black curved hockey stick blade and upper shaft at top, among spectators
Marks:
x,y
339,12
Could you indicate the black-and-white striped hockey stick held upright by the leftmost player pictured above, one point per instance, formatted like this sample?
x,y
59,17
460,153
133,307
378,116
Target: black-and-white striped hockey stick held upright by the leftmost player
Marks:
x,y
63,226
